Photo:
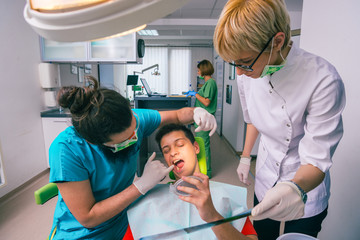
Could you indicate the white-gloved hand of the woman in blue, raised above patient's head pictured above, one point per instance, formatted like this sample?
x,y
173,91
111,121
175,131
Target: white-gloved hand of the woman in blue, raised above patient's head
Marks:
x,y
204,120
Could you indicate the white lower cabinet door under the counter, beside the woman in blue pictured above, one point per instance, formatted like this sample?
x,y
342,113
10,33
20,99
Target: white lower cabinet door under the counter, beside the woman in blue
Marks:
x,y
51,129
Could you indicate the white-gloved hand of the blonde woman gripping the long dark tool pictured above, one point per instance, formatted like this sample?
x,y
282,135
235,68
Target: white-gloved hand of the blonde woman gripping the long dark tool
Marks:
x,y
282,203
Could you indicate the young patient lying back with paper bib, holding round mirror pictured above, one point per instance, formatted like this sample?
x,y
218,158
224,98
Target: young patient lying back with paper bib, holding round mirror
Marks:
x,y
162,211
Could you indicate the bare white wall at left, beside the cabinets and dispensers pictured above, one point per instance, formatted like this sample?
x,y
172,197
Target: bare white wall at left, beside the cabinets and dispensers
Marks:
x,y
21,138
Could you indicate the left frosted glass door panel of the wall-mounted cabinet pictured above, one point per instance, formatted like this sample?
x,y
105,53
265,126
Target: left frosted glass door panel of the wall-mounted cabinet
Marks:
x,y
62,51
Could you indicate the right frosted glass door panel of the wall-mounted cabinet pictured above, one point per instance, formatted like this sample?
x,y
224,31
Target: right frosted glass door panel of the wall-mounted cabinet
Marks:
x,y
120,48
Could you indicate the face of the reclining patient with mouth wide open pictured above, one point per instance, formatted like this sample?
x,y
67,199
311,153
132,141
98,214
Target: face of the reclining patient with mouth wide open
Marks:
x,y
179,151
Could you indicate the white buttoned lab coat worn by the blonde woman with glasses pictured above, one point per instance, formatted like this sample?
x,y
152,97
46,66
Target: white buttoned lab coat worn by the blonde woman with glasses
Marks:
x,y
299,120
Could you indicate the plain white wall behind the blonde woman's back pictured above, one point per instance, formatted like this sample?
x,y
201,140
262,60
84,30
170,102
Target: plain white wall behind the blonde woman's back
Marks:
x,y
331,29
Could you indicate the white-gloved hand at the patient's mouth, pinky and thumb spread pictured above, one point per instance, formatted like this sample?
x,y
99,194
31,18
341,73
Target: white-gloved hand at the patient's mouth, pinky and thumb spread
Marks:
x,y
154,172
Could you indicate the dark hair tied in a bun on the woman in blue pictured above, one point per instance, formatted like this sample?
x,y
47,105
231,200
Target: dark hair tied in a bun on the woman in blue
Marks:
x,y
97,113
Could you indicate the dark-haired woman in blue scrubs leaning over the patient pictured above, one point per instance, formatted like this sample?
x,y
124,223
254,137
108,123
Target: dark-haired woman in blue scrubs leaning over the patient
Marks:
x,y
93,162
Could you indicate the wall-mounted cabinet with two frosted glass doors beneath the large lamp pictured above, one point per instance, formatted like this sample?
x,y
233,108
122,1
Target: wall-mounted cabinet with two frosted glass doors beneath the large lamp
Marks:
x,y
124,49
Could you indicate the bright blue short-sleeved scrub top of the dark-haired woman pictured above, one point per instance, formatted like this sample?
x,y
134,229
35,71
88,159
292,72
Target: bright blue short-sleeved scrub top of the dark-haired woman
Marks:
x,y
73,159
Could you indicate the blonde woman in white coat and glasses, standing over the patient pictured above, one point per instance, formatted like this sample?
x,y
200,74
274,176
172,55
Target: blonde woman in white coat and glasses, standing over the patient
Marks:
x,y
294,100
